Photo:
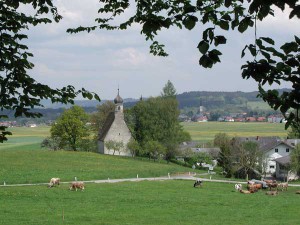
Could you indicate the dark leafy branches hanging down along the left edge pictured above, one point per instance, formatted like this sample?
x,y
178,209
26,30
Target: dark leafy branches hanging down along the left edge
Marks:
x,y
19,92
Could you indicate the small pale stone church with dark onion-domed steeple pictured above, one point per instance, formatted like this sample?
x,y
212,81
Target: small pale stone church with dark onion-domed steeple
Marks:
x,y
115,129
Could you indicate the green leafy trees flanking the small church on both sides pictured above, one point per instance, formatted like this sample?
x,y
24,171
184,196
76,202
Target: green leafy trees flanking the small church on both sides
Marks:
x,y
153,123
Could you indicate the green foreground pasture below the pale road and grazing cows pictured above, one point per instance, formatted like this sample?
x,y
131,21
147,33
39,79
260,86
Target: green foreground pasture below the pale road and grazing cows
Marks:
x,y
168,202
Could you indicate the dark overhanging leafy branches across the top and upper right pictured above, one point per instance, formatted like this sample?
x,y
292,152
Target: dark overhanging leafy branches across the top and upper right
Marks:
x,y
269,65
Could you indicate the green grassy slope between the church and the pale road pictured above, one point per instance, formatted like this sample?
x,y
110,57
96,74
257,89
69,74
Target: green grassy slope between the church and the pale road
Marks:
x,y
25,164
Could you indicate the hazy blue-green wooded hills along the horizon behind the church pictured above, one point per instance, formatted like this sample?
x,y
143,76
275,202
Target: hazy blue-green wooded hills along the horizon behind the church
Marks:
x,y
189,102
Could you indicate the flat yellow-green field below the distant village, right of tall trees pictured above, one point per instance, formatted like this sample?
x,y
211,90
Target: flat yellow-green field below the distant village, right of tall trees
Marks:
x,y
204,132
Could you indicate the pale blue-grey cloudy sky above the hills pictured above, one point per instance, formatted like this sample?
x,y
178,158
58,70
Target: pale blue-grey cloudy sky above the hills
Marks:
x,y
102,61
